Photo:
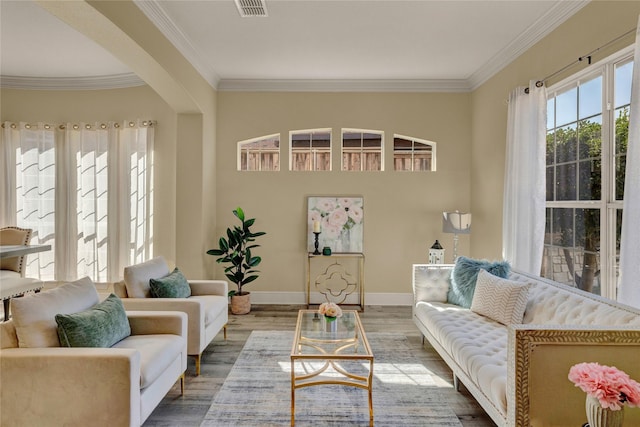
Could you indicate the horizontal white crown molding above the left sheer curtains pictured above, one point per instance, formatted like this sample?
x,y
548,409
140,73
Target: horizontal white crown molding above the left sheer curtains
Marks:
x,y
115,81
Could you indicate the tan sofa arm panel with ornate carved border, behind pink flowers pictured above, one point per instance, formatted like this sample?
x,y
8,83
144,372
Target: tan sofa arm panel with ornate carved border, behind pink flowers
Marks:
x,y
538,362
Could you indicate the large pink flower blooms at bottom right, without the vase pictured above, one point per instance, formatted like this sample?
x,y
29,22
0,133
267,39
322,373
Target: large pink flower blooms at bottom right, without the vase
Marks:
x,y
611,386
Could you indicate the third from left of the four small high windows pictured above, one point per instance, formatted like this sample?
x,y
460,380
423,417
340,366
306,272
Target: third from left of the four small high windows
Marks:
x,y
362,150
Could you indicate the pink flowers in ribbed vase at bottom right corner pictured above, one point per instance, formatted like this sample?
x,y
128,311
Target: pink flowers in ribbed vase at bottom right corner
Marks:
x,y
608,389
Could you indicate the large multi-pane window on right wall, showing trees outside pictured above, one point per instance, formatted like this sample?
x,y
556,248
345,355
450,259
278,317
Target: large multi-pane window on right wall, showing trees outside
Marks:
x,y
587,129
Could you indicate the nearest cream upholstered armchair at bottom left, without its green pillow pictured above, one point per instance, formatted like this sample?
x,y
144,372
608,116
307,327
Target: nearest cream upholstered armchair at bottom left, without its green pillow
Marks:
x,y
44,384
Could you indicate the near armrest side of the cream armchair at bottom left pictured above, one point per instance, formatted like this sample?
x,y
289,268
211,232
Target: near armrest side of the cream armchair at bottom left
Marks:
x,y
70,386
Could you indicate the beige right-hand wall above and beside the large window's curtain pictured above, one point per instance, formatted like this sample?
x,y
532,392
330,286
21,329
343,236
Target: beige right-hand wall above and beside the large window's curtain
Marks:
x,y
593,26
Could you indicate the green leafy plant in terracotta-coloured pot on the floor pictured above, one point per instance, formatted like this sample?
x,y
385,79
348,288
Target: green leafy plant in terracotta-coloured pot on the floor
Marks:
x,y
235,251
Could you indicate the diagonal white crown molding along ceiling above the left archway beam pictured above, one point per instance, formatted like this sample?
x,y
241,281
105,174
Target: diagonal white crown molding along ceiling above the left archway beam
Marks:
x,y
156,14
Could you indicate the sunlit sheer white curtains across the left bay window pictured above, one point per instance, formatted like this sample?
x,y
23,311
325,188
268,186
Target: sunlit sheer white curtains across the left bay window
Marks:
x,y
85,189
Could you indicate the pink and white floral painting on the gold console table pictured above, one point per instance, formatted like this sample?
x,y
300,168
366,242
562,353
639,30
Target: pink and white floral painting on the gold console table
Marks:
x,y
339,221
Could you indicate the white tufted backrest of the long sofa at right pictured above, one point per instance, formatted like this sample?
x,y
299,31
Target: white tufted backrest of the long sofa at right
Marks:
x,y
553,303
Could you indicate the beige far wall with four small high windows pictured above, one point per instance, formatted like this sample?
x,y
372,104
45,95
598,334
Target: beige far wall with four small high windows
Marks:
x,y
402,209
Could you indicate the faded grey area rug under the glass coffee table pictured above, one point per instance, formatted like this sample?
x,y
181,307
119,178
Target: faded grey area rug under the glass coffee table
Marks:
x,y
257,391
